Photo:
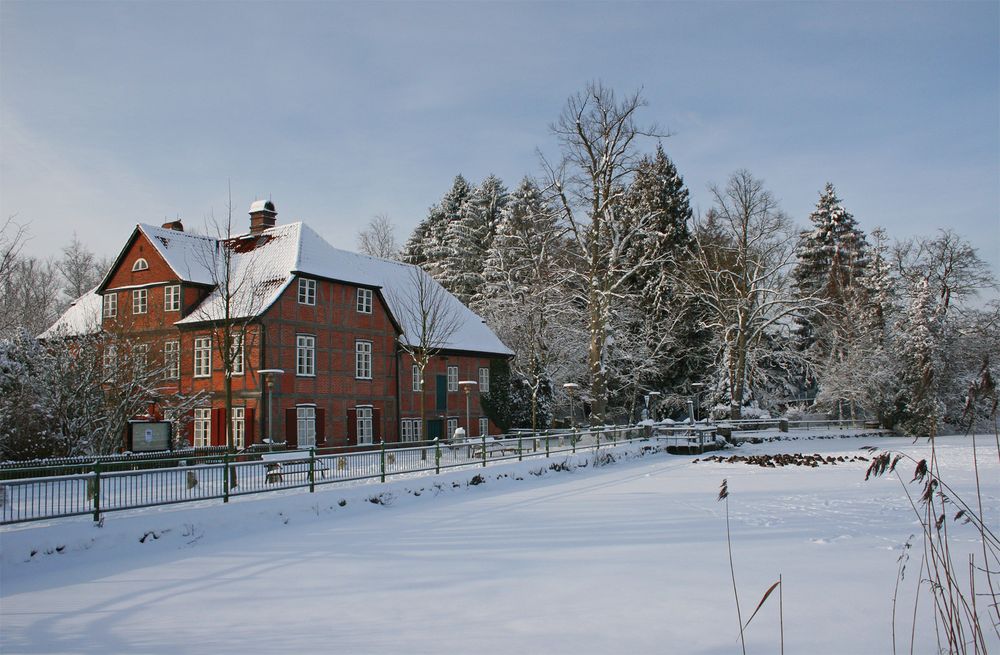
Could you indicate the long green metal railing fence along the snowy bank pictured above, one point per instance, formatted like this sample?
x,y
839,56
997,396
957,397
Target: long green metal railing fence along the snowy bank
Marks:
x,y
36,493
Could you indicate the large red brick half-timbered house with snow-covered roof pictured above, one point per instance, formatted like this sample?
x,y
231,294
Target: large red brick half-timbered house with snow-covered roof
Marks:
x,y
334,321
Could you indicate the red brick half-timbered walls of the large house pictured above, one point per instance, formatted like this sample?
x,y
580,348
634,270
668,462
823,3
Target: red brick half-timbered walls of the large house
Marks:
x,y
270,343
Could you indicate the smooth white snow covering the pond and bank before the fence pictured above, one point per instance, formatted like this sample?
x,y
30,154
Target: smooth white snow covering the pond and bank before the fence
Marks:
x,y
626,557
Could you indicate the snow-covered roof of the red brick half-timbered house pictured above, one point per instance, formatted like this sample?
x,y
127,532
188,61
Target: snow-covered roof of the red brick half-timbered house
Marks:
x,y
265,263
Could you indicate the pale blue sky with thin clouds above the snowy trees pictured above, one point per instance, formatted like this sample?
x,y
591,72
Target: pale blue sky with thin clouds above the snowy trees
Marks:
x,y
114,113
